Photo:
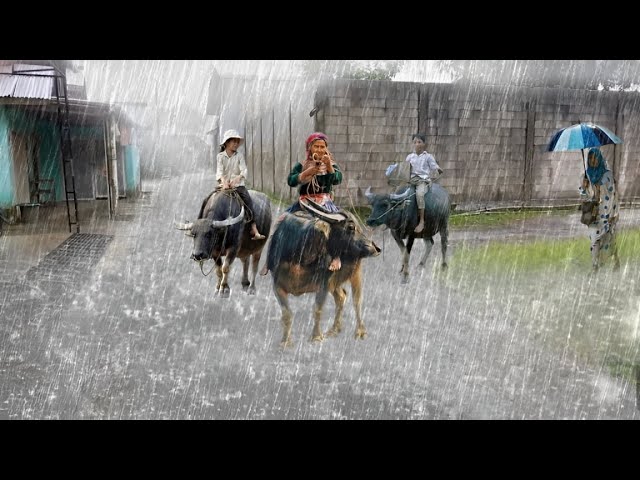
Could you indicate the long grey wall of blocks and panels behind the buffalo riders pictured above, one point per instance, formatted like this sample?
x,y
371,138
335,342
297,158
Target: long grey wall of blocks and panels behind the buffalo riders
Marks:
x,y
489,140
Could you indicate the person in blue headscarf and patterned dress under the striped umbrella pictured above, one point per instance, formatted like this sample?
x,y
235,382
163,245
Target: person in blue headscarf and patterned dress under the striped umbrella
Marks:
x,y
602,233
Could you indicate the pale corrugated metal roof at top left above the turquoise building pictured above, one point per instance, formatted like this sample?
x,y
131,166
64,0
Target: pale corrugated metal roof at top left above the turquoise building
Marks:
x,y
22,86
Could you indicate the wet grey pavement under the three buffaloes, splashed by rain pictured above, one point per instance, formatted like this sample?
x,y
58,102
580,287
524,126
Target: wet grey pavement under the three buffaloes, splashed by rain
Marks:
x,y
118,323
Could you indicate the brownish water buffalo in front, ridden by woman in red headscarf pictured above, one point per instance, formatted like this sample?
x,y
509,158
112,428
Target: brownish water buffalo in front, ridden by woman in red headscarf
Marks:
x,y
298,258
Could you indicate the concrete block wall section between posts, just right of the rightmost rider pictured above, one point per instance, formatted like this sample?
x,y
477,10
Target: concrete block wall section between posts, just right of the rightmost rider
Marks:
x,y
478,138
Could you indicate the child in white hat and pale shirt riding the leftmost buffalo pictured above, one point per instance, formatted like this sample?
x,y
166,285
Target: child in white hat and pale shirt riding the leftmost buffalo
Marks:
x,y
231,172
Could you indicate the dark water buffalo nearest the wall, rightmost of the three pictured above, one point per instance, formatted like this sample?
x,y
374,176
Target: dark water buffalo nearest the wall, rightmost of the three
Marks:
x,y
399,212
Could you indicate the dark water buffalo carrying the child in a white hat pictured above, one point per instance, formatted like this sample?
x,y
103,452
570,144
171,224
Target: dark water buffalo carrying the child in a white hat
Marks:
x,y
222,231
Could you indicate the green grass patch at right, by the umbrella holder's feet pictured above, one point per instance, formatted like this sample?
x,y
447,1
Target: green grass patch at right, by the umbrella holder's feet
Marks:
x,y
547,286
